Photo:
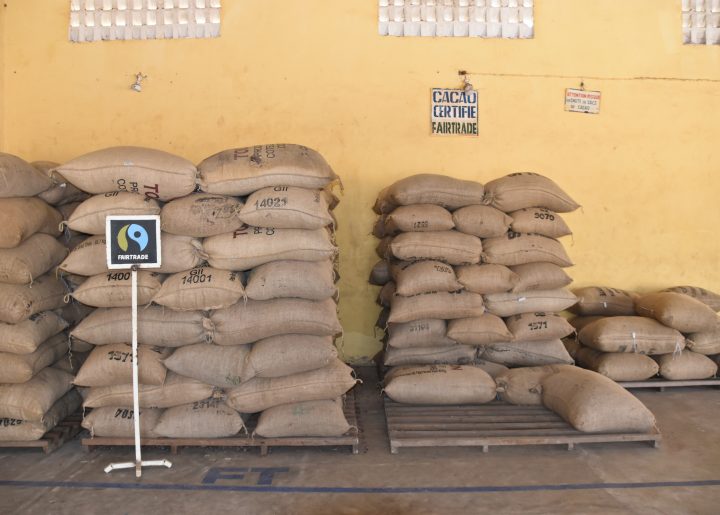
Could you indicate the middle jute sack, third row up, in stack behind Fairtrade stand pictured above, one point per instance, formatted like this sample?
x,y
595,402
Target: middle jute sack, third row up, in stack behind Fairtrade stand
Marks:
x,y
211,364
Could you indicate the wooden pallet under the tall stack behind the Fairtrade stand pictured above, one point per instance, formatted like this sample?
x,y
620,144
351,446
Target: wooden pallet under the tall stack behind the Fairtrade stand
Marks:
x,y
245,440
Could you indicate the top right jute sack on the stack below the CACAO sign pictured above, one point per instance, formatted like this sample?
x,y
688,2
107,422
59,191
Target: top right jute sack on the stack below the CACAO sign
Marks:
x,y
521,190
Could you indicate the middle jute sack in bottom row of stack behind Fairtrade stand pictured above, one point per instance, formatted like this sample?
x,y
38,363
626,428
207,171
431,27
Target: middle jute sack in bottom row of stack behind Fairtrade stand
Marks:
x,y
210,418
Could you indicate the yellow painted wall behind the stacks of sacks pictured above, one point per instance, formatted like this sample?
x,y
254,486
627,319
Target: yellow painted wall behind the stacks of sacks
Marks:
x,y
646,169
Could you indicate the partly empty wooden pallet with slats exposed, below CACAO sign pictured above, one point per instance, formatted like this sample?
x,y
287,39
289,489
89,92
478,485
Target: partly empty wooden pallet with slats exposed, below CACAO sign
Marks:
x,y
489,425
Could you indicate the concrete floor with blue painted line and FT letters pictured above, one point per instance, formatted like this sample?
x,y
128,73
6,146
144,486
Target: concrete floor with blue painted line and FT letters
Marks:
x,y
682,476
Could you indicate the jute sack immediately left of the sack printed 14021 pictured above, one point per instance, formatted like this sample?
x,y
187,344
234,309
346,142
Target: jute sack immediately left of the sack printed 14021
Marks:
x,y
201,215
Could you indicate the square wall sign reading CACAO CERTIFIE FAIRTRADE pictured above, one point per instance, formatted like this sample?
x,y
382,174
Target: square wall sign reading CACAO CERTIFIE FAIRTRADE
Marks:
x,y
454,112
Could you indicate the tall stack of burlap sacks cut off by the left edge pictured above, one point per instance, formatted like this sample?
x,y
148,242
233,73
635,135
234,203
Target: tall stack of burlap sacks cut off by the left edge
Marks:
x,y
36,375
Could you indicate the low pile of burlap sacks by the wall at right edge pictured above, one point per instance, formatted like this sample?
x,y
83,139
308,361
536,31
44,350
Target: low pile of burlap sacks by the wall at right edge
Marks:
x,y
629,337
